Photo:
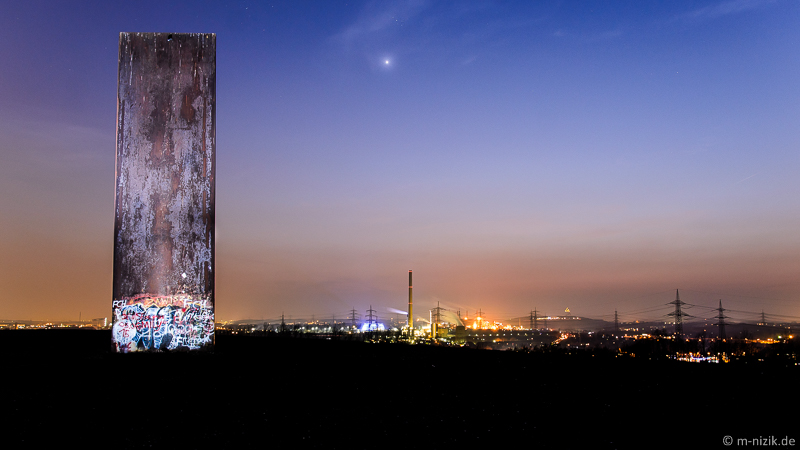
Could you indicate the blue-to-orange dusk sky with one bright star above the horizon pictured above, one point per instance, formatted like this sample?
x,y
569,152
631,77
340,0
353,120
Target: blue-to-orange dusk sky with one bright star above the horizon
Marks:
x,y
514,155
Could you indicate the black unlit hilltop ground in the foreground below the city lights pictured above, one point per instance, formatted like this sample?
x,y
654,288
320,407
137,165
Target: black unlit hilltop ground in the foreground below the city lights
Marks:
x,y
66,388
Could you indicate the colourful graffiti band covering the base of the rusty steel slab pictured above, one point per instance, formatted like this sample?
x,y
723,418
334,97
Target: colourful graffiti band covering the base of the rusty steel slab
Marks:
x,y
146,323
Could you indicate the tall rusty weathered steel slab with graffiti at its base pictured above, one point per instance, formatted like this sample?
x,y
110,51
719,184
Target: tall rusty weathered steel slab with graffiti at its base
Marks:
x,y
164,210
